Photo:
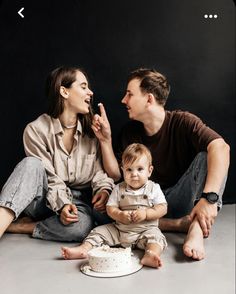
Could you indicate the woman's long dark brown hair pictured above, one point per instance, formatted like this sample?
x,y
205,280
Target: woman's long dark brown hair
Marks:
x,y
65,76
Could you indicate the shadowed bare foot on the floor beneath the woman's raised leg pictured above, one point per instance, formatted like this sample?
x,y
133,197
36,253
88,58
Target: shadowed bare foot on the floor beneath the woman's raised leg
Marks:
x,y
24,225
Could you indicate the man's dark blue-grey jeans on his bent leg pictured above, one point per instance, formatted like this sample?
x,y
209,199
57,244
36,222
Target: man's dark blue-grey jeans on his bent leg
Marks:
x,y
182,197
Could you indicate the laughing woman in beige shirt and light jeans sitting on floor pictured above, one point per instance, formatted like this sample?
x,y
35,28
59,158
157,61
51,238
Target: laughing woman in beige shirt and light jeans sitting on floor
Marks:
x,y
54,184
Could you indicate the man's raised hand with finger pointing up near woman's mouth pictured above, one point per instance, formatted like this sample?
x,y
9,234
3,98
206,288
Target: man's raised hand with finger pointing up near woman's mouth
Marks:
x,y
101,125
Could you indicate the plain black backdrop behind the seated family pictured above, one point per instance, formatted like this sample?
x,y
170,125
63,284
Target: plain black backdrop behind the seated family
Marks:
x,y
108,39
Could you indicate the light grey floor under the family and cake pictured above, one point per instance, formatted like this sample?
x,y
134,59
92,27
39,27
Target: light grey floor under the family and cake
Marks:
x,y
29,266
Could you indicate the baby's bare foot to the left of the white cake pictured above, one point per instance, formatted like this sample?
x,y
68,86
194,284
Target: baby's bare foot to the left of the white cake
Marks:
x,y
79,252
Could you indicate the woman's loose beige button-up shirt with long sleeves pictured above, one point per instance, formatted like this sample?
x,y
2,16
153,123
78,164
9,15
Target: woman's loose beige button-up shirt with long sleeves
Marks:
x,y
78,170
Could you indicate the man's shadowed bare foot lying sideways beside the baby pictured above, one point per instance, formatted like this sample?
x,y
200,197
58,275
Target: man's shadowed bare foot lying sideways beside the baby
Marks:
x,y
176,225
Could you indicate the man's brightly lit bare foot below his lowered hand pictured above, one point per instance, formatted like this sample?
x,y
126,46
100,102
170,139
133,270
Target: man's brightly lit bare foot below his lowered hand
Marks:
x,y
194,246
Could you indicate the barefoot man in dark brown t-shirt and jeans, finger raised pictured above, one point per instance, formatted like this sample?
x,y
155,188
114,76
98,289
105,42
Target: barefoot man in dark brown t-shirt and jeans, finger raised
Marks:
x,y
190,160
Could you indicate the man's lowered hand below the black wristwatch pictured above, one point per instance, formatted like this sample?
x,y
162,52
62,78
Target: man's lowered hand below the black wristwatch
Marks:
x,y
205,213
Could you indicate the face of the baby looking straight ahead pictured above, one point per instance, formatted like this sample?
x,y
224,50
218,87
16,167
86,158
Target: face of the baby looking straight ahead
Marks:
x,y
137,173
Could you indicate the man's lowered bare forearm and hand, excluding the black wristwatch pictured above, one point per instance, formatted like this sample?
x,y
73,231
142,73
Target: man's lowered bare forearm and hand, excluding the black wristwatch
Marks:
x,y
218,154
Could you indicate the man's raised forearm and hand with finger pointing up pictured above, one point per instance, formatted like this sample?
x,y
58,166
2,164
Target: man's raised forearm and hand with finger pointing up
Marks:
x,y
102,130
